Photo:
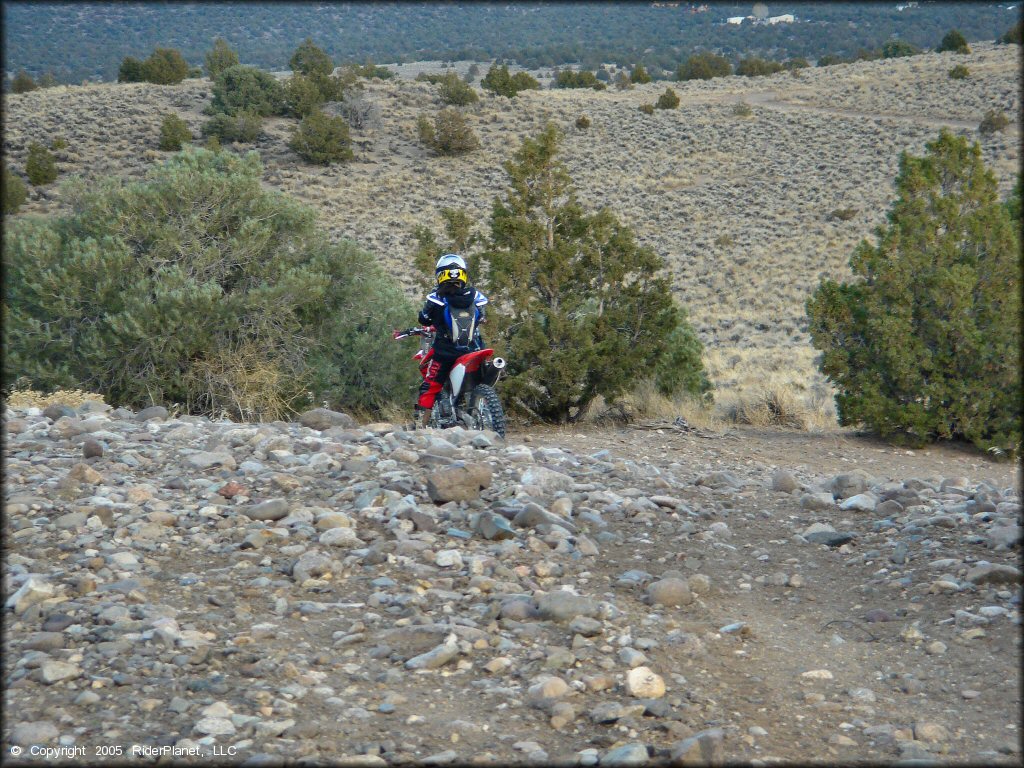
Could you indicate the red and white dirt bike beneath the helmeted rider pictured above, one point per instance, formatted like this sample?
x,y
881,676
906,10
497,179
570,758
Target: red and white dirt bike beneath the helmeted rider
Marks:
x,y
468,398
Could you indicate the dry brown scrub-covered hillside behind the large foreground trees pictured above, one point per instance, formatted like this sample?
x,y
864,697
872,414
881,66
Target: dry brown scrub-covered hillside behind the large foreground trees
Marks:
x,y
739,206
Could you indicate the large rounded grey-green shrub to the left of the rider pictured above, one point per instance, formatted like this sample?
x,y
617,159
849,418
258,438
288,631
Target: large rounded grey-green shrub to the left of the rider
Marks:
x,y
199,287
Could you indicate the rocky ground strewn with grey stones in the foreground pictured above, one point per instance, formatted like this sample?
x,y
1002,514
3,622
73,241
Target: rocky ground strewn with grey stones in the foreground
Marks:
x,y
328,591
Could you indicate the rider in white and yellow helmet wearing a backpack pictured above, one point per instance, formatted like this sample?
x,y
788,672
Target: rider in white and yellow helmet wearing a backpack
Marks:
x,y
457,311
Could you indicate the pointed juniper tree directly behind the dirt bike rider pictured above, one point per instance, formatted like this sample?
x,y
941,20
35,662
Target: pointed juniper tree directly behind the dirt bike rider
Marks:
x,y
580,308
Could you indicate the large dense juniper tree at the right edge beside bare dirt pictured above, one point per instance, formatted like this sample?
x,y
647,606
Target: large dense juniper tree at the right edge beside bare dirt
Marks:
x,y
925,344
